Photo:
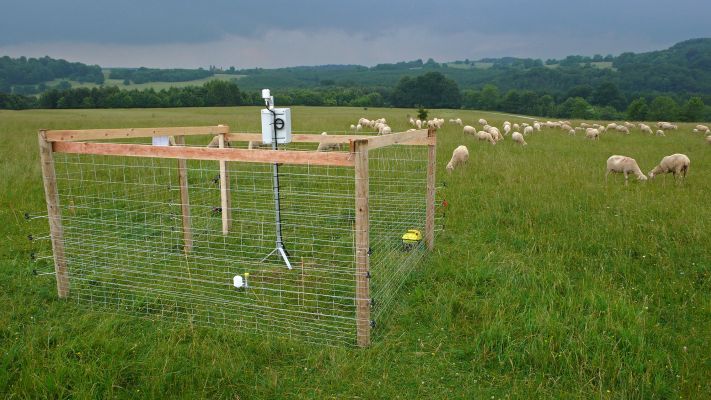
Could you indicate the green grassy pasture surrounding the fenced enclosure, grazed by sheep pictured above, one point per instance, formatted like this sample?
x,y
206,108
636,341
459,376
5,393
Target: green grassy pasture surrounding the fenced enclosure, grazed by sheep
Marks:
x,y
546,283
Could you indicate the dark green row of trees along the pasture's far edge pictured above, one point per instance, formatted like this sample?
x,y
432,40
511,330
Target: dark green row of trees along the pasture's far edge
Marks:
x,y
431,90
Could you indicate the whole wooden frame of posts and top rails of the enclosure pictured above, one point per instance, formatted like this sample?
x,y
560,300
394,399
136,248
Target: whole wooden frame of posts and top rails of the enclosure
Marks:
x,y
77,142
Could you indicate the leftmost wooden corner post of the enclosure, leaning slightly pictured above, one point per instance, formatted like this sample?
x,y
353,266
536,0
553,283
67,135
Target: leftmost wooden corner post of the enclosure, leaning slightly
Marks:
x,y
54,214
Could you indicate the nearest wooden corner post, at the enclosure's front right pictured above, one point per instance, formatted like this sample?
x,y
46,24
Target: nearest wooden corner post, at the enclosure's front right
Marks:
x,y
362,243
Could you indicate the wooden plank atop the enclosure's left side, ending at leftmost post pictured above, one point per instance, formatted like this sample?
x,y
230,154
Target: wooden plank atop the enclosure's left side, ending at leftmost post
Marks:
x,y
97,134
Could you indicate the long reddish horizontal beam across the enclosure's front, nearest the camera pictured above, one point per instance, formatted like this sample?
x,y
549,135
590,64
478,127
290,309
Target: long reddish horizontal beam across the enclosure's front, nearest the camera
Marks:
x,y
204,153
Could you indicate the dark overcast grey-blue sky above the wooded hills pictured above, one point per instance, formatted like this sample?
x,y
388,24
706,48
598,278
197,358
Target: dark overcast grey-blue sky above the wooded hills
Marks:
x,y
276,33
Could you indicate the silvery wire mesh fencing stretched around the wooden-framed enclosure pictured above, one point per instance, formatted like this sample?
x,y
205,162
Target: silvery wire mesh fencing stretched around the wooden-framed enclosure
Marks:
x,y
151,236
